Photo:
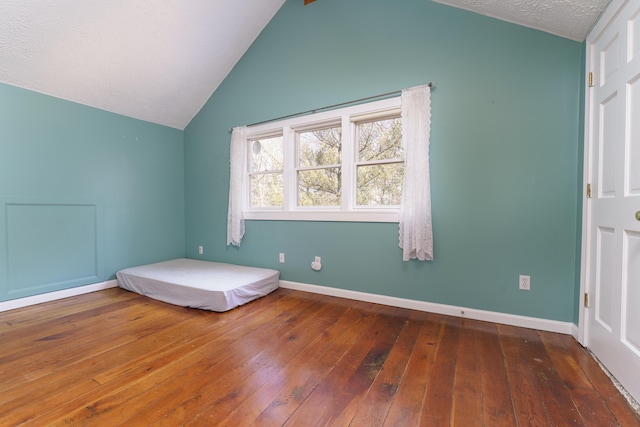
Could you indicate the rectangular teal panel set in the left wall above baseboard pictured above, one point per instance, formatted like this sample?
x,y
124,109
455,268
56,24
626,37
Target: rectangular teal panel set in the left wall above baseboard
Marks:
x,y
50,246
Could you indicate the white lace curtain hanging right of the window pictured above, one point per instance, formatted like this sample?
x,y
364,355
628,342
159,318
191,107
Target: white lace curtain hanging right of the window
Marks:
x,y
416,235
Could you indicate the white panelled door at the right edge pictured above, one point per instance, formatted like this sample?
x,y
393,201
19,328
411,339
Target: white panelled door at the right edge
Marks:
x,y
612,230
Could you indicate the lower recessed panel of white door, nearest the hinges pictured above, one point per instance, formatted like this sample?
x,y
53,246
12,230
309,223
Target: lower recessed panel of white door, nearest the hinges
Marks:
x,y
604,277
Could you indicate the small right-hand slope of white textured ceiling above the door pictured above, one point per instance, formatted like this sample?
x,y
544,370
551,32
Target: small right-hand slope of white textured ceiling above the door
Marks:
x,y
571,19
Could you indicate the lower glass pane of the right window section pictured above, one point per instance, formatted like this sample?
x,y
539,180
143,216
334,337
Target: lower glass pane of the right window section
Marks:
x,y
380,185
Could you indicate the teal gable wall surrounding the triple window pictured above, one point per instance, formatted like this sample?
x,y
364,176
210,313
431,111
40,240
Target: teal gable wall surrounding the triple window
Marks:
x,y
504,152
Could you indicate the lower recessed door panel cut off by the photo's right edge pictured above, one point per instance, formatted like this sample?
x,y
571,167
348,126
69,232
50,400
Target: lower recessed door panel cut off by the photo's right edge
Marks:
x,y
631,289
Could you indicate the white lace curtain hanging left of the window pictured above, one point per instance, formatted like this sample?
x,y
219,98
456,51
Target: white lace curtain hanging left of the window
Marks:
x,y
237,177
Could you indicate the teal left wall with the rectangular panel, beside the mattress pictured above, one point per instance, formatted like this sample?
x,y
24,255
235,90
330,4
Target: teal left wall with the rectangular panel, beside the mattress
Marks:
x,y
83,193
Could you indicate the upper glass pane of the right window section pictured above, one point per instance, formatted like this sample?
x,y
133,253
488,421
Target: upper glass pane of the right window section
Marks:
x,y
380,140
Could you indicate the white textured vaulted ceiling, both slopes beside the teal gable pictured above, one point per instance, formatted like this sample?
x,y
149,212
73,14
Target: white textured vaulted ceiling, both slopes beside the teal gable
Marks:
x,y
160,61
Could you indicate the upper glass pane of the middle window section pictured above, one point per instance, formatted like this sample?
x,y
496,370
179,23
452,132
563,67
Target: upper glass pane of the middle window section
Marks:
x,y
320,147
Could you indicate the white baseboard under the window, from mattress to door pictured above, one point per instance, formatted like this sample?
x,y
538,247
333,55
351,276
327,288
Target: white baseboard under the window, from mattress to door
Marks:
x,y
470,313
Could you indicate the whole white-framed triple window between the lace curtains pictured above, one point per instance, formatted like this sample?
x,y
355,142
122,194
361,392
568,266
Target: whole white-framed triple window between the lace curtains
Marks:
x,y
340,165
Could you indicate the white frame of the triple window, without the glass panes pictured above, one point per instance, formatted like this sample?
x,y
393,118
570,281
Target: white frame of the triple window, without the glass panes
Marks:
x,y
348,117
